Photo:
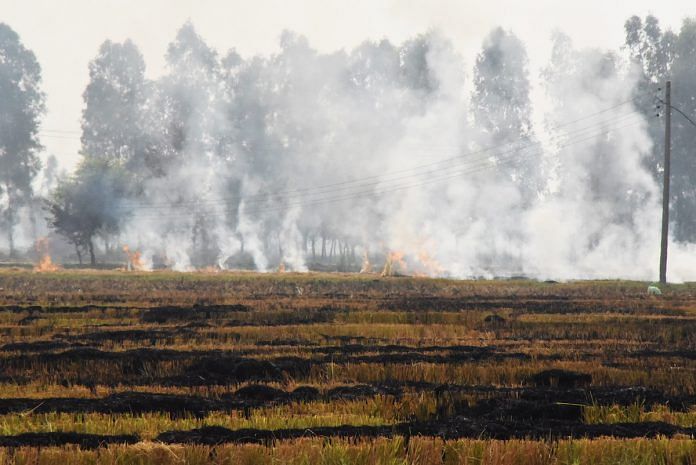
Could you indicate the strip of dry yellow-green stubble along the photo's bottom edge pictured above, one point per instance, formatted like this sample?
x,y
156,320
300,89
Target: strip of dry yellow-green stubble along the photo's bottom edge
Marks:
x,y
377,452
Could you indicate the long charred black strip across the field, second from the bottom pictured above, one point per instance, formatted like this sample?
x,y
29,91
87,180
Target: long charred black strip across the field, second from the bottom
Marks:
x,y
493,403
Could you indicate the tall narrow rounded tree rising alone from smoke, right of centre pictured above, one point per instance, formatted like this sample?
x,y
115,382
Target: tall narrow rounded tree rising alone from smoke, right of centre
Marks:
x,y
501,103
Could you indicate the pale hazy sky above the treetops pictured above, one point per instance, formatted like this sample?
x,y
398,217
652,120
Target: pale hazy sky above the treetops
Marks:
x,y
65,34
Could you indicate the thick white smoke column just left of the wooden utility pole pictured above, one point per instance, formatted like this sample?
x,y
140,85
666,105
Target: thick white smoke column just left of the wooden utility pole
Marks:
x,y
601,218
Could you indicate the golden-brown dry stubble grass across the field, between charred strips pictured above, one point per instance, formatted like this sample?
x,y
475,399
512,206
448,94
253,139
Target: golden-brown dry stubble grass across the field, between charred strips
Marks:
x,y
610,330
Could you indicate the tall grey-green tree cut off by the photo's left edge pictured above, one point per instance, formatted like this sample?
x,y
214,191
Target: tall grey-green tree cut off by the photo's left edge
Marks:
x,y
22,104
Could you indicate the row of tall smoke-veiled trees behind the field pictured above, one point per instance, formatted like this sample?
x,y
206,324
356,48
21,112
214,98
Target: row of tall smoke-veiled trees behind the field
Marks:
x,y
218,145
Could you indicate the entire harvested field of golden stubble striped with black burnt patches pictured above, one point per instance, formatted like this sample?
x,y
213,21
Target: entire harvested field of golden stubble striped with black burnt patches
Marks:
x,y
112,367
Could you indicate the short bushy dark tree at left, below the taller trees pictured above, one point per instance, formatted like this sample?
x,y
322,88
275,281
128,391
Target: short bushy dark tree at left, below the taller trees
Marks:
x,y
88,204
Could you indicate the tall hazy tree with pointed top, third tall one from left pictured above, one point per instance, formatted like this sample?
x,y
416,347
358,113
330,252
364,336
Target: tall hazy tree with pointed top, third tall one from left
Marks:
x,y
193,103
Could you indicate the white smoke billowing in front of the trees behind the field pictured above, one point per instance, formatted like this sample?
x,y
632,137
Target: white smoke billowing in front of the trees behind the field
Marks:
x,y
282,158
